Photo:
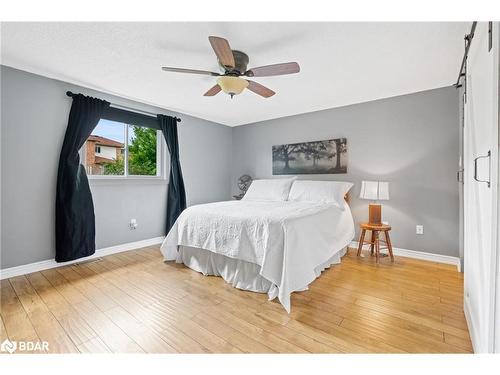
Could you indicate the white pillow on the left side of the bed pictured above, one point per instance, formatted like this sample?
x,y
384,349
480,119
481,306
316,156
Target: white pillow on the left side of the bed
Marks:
x,y
269,190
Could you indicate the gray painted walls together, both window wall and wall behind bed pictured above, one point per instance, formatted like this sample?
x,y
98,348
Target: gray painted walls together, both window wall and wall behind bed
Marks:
x,y
411,141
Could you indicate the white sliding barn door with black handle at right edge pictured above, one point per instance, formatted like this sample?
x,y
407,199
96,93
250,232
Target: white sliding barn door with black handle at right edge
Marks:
x,y
480,198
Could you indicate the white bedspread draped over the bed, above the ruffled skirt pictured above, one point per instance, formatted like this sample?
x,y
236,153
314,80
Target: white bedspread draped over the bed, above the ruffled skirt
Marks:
x,y
288,240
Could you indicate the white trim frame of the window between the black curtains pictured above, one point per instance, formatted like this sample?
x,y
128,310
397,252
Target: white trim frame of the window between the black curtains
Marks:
x,y
161,167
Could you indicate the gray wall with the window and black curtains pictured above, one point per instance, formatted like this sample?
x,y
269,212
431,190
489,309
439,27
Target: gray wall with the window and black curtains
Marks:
x,y
34,114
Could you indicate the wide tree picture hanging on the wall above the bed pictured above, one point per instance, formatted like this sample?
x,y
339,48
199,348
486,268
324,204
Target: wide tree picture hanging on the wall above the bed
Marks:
x,y
317,157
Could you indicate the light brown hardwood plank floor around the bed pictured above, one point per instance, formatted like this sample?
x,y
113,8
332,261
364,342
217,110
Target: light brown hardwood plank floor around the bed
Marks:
x,y
133,302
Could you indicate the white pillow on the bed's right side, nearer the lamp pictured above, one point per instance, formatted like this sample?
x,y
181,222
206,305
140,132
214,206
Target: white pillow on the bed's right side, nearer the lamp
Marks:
x,y
320,192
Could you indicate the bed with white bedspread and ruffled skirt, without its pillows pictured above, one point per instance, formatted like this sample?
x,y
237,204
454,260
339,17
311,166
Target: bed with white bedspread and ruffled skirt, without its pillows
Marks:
x,y
268,246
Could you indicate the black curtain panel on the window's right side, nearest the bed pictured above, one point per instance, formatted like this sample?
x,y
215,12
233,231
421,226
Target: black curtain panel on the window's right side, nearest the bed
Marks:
x,y
176,199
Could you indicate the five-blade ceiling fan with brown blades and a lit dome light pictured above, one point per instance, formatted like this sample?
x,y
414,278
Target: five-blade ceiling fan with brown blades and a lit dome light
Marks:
x,y
233,64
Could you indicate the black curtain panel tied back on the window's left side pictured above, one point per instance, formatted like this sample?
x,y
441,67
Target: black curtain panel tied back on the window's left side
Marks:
x,y
75,221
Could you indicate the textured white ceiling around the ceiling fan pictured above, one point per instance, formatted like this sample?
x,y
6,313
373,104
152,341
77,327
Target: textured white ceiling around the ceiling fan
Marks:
x,y
341,63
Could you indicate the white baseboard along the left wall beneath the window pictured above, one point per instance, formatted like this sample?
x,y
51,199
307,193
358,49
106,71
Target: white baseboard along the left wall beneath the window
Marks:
x,y
51,263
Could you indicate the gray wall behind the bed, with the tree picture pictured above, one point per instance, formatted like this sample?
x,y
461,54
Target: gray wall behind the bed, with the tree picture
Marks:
x,y
411,141
